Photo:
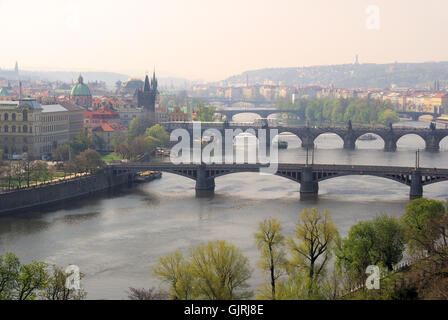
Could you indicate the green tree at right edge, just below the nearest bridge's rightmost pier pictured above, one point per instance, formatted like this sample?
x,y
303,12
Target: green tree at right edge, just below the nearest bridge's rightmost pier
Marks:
x,y
425,223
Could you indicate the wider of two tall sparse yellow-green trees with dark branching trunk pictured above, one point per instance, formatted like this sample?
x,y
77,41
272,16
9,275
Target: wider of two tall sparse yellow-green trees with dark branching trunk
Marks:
x,y
311,248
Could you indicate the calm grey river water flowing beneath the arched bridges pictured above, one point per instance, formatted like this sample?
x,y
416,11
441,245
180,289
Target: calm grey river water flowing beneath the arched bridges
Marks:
x,y
116,239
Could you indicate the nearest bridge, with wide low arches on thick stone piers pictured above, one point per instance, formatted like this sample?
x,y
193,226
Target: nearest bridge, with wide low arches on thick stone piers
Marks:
x,y
308,176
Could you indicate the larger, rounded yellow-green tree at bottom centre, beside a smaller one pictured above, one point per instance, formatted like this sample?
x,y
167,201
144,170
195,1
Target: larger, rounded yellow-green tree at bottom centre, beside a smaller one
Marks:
x,y
220,271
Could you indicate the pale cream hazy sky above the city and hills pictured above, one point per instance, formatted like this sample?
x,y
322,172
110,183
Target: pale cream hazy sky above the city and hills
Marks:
x,y
210,39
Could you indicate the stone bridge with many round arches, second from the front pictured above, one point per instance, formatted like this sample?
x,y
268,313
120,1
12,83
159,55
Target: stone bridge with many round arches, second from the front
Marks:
x,y
308,135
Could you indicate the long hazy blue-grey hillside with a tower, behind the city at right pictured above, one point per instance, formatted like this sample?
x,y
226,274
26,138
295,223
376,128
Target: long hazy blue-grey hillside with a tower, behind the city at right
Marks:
x,y
415,75
